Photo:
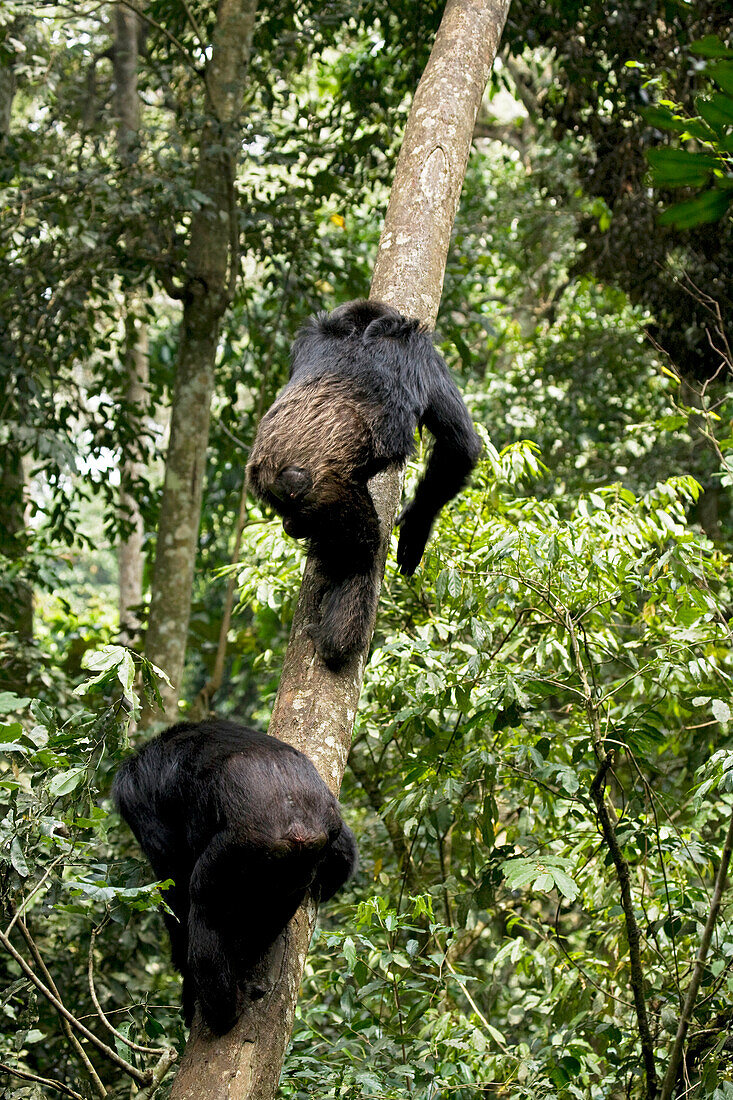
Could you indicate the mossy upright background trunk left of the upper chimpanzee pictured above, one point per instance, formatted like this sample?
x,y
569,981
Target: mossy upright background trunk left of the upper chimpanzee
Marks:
x,y
211,271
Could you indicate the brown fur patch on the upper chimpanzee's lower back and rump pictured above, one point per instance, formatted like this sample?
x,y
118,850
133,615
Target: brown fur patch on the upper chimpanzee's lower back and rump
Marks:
x,y
319,426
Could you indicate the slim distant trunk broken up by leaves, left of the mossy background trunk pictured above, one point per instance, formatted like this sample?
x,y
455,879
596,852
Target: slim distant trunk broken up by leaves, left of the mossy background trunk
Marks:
x,y
128,30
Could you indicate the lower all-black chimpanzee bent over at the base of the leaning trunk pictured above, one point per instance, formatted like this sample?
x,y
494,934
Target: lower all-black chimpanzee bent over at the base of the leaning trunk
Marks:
x,y
245,827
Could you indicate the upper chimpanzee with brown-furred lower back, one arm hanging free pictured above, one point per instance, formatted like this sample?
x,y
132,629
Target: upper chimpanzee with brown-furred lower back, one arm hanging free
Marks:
x,y
363,379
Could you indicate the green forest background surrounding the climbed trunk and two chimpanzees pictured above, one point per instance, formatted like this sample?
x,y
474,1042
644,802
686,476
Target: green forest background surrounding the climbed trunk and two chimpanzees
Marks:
x,y
541,778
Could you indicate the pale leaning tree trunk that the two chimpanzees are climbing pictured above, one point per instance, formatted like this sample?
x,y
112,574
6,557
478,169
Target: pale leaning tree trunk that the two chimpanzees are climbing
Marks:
x,y
315,709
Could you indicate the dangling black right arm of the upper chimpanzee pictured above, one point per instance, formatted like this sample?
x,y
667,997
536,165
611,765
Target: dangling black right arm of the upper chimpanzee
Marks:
x,y
455,454
